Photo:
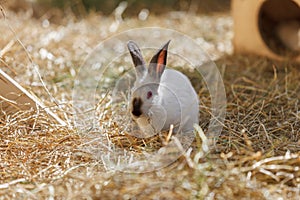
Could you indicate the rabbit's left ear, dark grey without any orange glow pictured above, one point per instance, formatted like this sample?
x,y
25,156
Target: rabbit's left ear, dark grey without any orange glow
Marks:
x,y
137,58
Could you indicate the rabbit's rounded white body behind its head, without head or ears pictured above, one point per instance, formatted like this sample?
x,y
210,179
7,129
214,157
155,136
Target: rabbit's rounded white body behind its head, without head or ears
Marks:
x,y
179,99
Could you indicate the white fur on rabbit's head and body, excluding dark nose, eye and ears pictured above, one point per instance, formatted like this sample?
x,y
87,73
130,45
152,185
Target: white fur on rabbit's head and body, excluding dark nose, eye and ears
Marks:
x,y
175,102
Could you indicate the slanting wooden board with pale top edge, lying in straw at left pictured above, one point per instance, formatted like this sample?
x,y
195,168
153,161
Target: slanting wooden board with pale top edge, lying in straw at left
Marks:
x,y
14,97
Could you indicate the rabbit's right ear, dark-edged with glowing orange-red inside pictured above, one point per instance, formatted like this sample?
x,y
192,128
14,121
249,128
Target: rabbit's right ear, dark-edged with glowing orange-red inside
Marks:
x,y
158,62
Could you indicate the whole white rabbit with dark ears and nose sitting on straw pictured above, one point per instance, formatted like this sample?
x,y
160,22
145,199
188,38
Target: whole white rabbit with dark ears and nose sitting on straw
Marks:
x,y
161,97
